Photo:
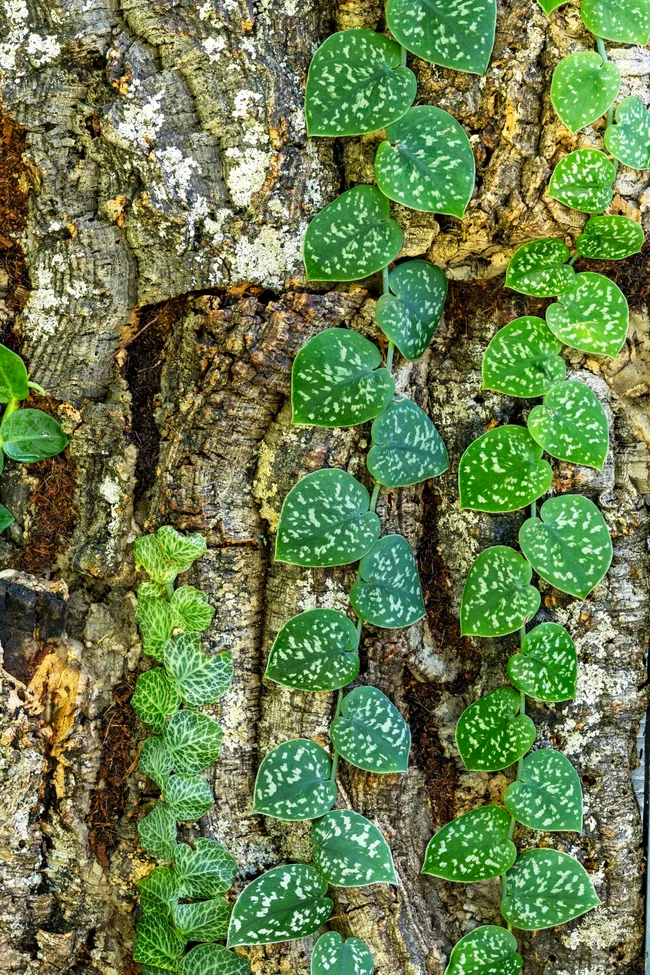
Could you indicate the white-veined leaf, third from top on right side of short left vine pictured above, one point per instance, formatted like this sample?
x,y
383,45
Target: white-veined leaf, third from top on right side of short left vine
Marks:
x,y
200,679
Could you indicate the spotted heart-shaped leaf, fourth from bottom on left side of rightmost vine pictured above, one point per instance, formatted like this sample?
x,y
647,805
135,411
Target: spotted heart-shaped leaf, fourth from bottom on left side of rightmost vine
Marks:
x,y
498,598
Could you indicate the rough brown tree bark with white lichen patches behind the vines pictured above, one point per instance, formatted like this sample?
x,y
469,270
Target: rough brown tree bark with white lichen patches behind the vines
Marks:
x,y
155,183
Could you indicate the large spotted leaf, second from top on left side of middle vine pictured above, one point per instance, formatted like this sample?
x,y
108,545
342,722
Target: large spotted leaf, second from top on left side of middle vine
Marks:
x,y
354,236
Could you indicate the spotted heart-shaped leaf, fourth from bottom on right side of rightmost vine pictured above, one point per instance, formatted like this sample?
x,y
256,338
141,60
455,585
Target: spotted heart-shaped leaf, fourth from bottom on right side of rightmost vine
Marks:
x,y
570,546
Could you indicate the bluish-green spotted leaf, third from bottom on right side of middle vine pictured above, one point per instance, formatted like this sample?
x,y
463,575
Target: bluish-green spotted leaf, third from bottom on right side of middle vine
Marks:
x,y
370,733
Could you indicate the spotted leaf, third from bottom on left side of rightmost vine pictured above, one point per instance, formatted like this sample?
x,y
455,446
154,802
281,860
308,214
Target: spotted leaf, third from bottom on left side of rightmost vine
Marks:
x,y
491,734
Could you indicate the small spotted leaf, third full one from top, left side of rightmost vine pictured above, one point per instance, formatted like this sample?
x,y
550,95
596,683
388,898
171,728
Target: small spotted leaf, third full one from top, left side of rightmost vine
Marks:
x,y
539,268
